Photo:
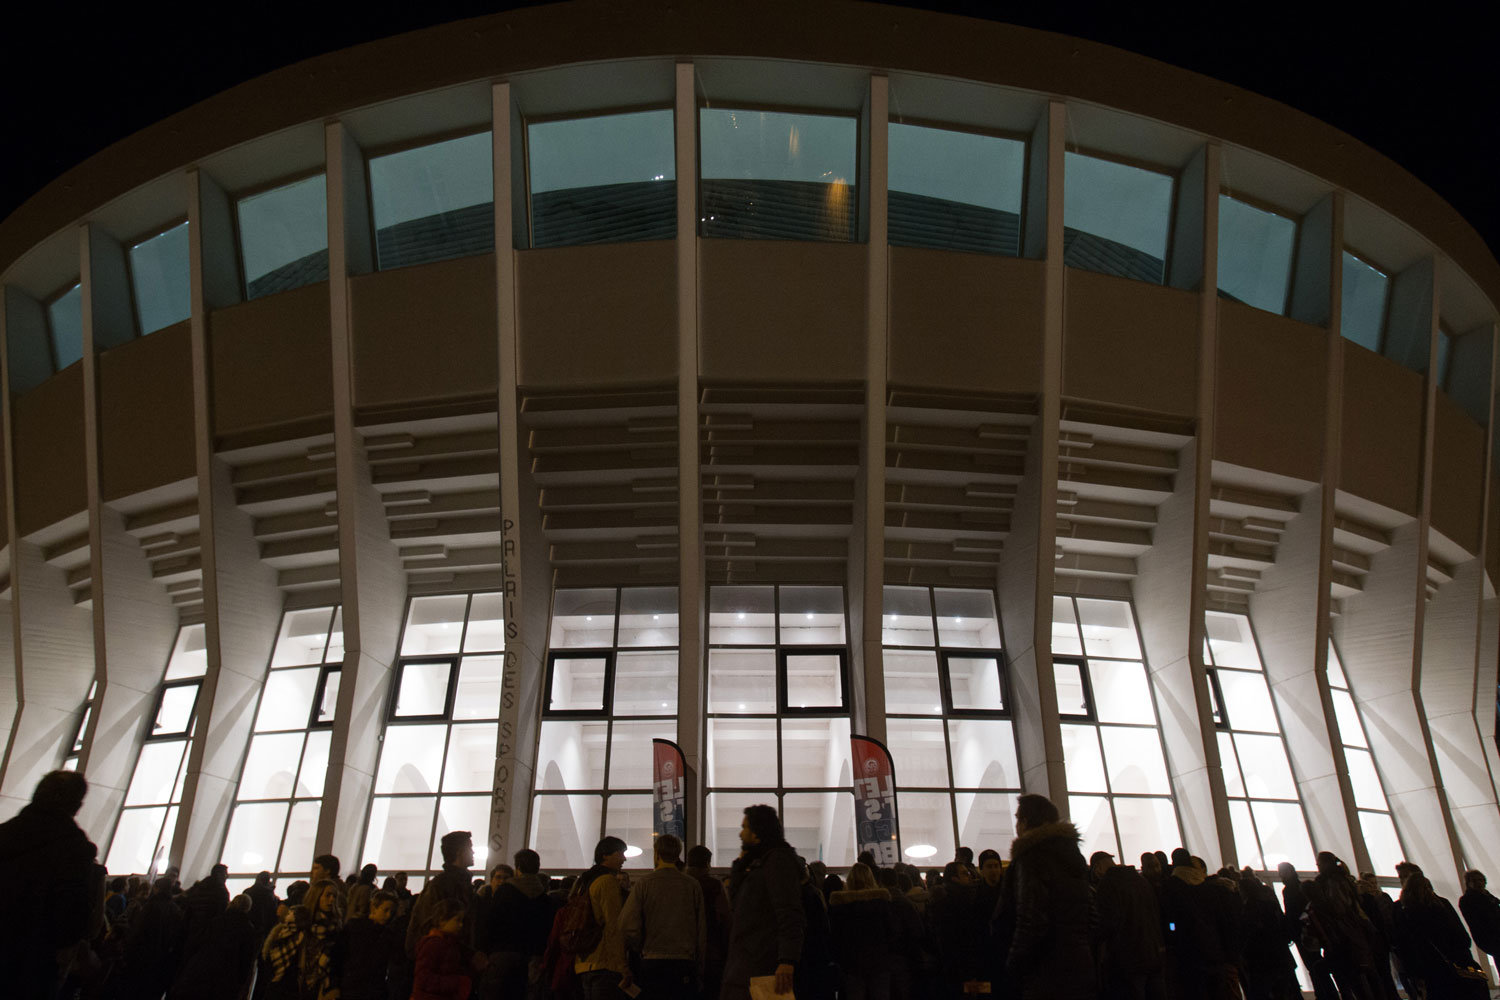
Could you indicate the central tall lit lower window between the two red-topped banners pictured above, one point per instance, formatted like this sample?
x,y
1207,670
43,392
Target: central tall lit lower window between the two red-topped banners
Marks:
x,y
779,717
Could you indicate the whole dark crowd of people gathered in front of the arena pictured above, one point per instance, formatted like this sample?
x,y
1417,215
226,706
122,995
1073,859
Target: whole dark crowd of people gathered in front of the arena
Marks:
x,y
1043,924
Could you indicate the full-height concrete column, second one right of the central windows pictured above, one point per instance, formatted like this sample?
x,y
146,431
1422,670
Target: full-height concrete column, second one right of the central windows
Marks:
x,y
1028,563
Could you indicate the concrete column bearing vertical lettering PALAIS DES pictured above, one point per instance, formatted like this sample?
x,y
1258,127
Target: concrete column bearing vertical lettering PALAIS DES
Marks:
x,y
524,551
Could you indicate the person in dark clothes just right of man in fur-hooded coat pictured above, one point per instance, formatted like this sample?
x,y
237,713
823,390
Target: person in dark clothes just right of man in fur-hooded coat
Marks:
x,y
1132,951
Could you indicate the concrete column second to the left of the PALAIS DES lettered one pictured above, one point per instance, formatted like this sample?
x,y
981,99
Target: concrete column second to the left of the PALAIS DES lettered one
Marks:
x,y
241,599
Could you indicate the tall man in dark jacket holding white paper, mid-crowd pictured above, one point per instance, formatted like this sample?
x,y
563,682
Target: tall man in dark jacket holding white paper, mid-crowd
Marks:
x,y
764,891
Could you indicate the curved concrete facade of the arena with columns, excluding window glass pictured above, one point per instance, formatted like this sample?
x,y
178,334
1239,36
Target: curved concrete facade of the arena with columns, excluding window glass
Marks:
x,y
703,412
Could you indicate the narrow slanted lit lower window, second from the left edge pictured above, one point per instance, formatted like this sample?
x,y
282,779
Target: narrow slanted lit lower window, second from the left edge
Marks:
x,y
149,816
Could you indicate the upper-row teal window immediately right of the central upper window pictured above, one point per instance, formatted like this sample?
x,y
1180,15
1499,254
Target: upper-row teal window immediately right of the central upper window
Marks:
x,y
955,191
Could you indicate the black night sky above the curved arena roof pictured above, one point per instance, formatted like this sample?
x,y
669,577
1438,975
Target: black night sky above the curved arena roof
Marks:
x,y
1424,94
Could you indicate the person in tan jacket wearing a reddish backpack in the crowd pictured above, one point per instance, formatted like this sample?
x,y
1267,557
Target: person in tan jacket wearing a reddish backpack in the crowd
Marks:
x,y
589,927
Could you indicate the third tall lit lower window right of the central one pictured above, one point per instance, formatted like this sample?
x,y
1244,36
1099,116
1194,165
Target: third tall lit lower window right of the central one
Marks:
x,y
1264,803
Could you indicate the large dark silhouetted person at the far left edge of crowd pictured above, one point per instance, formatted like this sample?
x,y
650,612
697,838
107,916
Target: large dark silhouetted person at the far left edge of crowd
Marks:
x,y
50,872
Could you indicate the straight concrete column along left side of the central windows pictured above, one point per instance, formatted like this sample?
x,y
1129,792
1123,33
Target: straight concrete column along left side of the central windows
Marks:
x,y
692,584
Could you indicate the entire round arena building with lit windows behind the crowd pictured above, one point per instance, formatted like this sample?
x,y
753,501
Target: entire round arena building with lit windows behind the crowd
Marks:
x,y
401,442
